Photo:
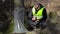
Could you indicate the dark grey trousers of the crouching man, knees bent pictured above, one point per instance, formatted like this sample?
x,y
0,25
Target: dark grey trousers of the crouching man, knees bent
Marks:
x,y
38,25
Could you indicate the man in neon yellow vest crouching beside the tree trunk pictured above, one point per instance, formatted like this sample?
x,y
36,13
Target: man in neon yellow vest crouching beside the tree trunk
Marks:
x,y
37,17
